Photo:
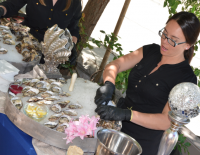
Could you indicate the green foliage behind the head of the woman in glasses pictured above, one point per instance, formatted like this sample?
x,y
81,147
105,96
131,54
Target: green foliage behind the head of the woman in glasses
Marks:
x,y
192,6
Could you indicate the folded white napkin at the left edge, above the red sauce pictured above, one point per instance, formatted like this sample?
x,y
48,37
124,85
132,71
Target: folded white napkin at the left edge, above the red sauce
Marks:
x,y
7,73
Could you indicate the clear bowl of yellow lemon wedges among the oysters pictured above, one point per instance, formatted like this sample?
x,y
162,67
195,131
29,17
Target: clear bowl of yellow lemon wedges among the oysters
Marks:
x,y
35,111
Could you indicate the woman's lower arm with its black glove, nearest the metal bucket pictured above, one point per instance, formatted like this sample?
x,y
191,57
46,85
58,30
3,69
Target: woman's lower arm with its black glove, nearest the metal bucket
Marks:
x,y
159,121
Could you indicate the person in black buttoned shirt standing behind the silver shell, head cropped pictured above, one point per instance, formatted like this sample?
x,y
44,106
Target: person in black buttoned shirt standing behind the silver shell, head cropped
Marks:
x,y
43,14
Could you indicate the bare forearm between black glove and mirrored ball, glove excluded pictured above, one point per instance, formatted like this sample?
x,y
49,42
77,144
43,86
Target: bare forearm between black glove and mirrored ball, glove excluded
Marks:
x,y
152,121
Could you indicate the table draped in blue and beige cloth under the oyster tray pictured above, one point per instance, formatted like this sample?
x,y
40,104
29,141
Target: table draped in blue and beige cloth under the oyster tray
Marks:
x,y
31,146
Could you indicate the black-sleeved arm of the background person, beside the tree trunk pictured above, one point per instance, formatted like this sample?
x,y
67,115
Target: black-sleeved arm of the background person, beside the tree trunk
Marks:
x,y
73,25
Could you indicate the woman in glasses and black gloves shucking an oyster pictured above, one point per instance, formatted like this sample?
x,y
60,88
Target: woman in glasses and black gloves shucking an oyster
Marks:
x,y
156,69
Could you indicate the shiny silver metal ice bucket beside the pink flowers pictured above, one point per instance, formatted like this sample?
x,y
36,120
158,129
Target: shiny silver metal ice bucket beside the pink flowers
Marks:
x,y
112,142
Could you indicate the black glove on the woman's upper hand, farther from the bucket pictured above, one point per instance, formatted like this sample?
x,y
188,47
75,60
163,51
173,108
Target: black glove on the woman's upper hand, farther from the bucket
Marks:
x,y
104,93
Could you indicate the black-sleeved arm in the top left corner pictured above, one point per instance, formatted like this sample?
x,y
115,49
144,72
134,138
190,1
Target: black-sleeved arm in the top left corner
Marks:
x,y
11,7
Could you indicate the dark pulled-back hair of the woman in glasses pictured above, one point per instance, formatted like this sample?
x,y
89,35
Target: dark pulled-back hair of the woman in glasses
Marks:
x,y
190,26
